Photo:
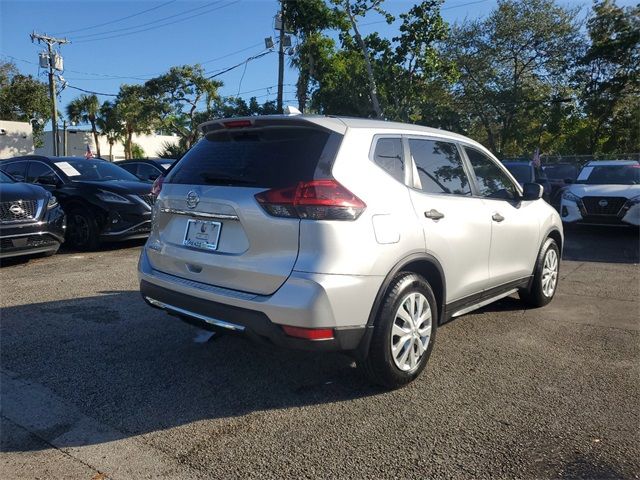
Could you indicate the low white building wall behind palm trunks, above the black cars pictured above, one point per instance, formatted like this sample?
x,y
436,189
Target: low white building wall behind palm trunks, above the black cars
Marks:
x,y
77,141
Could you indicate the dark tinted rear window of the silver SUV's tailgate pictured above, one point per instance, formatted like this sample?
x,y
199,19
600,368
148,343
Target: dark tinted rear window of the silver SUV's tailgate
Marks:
x,y
272,157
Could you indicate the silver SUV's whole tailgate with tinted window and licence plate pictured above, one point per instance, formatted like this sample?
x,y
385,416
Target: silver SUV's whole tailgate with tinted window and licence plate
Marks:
x,y
211,228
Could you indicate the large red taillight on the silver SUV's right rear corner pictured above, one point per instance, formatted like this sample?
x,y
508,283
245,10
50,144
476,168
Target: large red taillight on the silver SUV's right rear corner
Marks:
x,y
315,200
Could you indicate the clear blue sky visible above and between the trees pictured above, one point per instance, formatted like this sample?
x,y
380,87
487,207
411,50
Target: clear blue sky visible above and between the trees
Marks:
x,y
123,41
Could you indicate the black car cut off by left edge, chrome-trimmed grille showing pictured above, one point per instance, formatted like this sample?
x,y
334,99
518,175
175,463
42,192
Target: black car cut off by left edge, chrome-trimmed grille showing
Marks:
x,y
31,221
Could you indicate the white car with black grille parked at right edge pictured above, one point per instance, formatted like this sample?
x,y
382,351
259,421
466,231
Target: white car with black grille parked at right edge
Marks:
x,y
605,193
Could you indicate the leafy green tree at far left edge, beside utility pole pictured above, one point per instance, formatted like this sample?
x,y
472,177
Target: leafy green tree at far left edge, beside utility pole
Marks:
x,y
24,99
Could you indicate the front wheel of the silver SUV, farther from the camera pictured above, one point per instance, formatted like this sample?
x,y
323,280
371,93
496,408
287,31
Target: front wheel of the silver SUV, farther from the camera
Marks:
x,y
545,277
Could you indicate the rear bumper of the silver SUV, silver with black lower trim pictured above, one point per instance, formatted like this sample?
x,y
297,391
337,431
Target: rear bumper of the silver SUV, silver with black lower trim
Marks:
x,y
342,303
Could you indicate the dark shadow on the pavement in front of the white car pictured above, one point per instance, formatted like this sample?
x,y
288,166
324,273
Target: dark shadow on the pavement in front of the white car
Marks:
x,y
584,243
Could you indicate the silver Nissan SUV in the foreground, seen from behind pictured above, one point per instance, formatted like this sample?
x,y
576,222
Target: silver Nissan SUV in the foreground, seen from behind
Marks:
x,y
344,234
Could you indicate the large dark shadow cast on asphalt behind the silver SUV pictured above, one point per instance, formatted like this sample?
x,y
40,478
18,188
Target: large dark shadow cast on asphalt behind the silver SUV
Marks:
x,y
138,370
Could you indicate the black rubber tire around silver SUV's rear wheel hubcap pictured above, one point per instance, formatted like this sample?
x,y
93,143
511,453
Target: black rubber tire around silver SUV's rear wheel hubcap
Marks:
x,y
378,363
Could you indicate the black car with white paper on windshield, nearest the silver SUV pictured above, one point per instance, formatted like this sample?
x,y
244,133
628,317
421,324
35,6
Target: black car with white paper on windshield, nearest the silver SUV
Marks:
x,y
103,202
